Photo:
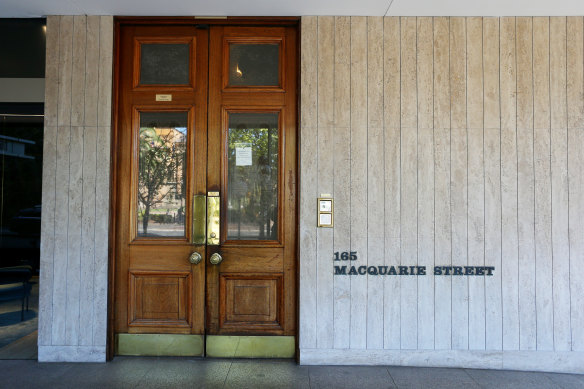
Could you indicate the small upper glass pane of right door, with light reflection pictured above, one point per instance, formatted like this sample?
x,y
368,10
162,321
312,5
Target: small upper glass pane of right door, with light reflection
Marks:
x,y
254,64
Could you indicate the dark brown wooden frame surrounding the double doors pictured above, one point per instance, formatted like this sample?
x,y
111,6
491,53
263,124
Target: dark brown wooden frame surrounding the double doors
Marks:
x,y
230,21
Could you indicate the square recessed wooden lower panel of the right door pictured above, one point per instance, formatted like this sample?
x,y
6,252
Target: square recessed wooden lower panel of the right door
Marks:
x,y
251,302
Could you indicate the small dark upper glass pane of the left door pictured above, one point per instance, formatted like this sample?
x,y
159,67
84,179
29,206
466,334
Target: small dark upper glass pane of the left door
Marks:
x,y
164,63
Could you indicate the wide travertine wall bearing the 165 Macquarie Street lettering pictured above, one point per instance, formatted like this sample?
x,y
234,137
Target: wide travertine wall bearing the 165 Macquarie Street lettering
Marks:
x,y
444,141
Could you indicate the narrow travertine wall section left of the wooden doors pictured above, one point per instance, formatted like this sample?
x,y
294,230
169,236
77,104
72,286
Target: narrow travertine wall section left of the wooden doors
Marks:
x,y
76,177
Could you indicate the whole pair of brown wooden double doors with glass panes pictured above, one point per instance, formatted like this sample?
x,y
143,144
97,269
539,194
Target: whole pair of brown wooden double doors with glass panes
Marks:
x,y
205,180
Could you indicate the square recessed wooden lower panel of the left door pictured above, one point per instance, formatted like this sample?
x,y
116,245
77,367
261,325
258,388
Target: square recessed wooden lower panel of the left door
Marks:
x,y
160,299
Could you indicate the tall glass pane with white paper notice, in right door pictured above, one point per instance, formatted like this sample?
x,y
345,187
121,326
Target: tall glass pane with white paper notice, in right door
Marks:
x,y
252,176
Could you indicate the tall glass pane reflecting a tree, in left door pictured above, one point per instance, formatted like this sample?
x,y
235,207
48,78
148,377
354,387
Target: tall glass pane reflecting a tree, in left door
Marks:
x,y
162,174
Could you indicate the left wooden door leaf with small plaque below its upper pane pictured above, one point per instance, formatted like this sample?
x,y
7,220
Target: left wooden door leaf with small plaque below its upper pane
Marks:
x,y
161,165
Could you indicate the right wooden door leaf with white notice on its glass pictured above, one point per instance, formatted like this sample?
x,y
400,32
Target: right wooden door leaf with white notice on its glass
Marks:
x,y
252,167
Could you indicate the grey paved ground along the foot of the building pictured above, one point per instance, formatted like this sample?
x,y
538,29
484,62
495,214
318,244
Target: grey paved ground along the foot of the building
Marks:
x,y
142,372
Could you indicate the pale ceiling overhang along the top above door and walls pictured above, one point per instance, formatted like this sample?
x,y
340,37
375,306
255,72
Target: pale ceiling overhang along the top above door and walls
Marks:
x,y
39,8
